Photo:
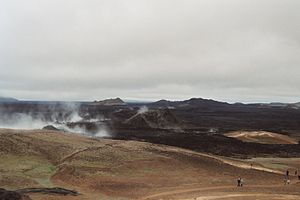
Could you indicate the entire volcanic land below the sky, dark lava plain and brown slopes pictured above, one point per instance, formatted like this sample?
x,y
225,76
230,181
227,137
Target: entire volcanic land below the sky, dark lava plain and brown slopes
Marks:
x,y
193,149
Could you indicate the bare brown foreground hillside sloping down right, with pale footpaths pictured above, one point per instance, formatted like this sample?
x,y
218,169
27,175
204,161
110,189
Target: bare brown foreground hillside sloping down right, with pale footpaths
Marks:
x,y
113,169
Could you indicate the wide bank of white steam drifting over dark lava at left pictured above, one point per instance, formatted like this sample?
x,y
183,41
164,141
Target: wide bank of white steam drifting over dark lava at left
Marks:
x,y
61,116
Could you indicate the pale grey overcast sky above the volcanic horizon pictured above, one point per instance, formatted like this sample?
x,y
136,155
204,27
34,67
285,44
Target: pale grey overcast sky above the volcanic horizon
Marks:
x,y
228,50
